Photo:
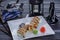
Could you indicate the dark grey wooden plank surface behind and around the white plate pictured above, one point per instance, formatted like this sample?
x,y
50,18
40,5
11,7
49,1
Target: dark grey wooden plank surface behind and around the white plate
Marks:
x,y
56,27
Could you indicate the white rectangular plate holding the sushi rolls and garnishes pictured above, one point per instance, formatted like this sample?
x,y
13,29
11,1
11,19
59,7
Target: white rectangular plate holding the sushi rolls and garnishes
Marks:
x,y
14,26
